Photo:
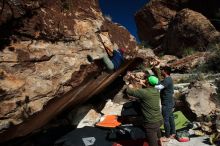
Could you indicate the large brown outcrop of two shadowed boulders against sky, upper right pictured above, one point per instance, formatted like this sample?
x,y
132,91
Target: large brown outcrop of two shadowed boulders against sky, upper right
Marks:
x,y
177,28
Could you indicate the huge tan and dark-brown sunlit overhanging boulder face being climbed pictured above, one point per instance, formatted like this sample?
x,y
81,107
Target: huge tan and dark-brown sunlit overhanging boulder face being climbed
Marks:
x,y
44,52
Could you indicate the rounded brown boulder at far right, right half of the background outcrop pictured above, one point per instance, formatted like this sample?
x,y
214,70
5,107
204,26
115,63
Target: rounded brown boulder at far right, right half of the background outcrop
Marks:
x,y
189,31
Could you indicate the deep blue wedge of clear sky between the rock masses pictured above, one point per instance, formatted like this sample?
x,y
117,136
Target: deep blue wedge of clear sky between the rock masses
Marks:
x,y
122,11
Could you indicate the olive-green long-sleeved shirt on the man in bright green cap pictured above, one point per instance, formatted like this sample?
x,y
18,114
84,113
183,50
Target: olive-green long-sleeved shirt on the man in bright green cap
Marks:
x,y
150,103
